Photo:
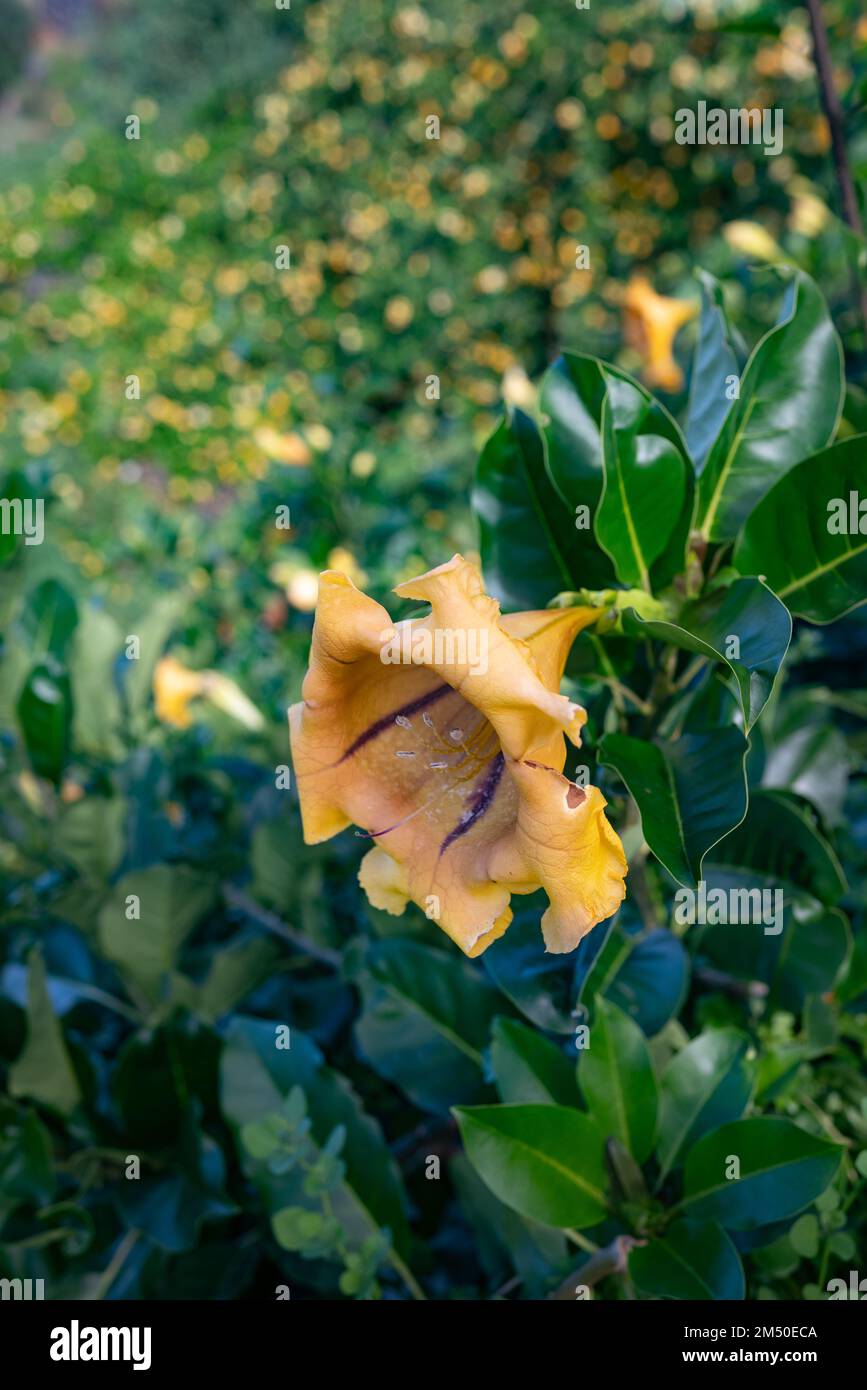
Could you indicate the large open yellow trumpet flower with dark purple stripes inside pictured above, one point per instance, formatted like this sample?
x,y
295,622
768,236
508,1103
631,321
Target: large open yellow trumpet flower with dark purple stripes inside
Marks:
x,y
444,740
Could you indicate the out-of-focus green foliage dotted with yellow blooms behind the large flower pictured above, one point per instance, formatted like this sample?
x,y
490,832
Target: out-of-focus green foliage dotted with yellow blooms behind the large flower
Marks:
x,y
311,389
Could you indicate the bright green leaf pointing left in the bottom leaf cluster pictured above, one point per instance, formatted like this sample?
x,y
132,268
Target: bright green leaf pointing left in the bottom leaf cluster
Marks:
x,y
544,1161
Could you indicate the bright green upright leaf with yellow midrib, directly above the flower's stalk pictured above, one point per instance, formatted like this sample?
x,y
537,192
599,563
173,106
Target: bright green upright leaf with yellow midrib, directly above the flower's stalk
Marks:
x,y
645,484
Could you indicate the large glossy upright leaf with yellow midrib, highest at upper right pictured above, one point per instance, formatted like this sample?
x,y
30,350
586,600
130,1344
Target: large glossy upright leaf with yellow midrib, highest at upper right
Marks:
x,y
790,404
